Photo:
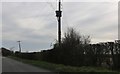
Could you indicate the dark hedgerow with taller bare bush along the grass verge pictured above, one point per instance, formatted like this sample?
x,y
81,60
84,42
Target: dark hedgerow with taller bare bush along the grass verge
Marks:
x,y
76,50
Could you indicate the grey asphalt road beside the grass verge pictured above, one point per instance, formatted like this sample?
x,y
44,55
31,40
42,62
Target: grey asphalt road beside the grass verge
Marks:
x,y
10,65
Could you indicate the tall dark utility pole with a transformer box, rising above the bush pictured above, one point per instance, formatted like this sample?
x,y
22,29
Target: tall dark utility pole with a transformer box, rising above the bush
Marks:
x,y
58,15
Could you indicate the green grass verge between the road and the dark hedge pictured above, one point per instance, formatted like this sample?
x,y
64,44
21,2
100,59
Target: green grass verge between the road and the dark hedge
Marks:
x,y
61,67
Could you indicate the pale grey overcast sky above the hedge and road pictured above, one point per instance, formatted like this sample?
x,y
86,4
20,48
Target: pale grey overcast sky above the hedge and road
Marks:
x,y
35,24
